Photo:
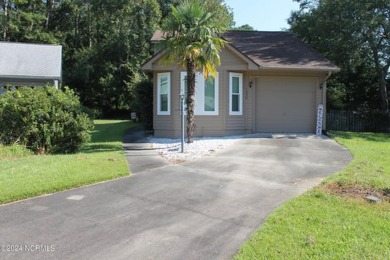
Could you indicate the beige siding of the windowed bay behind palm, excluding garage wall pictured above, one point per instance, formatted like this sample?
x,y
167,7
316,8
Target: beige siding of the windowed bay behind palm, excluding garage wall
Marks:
x,y
216,125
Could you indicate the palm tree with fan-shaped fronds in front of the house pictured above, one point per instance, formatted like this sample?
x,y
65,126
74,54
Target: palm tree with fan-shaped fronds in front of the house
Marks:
x,y
192,39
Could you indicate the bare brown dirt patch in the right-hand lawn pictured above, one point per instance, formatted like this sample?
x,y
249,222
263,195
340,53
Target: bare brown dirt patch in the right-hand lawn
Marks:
x,y
356,192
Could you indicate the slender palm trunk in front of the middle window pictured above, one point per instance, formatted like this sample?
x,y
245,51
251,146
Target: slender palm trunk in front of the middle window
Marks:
x,y
190,99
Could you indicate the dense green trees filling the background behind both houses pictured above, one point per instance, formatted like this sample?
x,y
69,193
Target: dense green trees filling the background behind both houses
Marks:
x,y
106,41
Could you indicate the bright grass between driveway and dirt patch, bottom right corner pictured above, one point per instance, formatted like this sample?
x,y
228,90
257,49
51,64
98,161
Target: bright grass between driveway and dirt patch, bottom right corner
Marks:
x,y
319,225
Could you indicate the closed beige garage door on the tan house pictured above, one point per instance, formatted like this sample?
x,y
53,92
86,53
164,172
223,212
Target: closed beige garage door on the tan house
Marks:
x,y
285,105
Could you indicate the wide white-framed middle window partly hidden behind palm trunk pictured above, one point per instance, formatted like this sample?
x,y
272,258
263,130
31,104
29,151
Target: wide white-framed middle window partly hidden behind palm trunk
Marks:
x,y
206,93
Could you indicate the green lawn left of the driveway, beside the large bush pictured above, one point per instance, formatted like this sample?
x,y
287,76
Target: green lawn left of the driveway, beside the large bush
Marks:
x,y
24,175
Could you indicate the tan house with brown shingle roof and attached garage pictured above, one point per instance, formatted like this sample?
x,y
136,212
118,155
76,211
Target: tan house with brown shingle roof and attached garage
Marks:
x,y
267,82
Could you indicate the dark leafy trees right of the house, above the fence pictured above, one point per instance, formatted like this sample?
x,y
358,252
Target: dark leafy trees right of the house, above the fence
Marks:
x,y
356,36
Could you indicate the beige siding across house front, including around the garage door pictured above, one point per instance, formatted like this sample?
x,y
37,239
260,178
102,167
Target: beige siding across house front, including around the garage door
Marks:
x,y
223,123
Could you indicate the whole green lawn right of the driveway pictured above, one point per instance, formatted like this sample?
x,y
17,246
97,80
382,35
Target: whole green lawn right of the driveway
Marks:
x,y
323,225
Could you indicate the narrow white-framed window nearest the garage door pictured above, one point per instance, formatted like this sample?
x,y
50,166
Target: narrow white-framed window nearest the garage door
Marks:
x,y
235,94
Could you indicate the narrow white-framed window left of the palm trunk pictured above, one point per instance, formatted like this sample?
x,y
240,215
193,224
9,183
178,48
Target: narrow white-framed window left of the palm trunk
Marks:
x,y
163,93
